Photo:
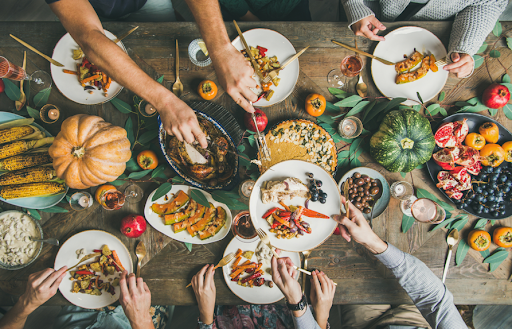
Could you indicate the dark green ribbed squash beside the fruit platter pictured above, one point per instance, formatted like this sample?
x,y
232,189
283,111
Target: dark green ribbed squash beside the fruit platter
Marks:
x,y
403,142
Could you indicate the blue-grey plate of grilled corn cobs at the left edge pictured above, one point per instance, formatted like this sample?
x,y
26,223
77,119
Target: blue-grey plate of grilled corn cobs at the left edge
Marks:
x,y
27,177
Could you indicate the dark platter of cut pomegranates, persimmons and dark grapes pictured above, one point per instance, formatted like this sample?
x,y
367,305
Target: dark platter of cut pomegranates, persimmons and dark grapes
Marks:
x,y
471,164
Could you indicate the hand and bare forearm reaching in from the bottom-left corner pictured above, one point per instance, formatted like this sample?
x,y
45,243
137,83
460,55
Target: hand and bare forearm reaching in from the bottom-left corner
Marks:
x,y
41,286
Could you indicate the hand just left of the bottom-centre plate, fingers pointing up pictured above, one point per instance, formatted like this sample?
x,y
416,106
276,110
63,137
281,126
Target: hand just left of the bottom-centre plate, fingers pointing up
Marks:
x,y
204,289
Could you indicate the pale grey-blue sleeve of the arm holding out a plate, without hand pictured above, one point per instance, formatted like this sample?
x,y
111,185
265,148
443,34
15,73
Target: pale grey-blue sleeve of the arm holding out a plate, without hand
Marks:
x,y
427,292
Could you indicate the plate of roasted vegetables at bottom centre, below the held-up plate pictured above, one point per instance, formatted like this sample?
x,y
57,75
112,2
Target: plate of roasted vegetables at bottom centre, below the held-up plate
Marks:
x,y
248,275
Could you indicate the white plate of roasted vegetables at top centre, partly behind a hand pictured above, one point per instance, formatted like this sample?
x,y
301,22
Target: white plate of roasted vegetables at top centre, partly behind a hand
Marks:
x,y
271,49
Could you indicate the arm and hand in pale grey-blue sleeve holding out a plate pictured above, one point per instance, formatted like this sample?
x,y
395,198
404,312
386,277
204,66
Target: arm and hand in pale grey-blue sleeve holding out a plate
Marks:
x,y
427,292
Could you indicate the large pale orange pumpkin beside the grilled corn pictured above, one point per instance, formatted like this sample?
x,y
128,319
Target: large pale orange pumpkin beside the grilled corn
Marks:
x,y
89,151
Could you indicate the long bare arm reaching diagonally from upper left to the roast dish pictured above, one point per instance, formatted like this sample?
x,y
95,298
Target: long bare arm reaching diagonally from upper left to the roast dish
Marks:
x,y
82,23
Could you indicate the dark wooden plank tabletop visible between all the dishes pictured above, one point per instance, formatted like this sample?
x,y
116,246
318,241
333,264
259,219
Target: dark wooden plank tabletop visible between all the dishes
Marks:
x,y
169,266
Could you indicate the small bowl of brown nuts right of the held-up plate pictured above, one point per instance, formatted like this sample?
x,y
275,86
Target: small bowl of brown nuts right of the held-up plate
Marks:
x,y
368,190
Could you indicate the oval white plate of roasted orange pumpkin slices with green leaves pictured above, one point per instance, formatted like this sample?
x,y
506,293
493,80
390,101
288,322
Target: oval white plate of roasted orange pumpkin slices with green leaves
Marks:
x,y
180,215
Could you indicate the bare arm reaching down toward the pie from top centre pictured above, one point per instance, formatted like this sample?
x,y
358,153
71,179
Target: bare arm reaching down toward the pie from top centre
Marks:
x,y
233,70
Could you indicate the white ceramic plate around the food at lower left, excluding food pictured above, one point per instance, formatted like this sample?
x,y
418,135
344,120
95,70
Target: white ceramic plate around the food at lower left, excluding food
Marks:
x,y
90,240
